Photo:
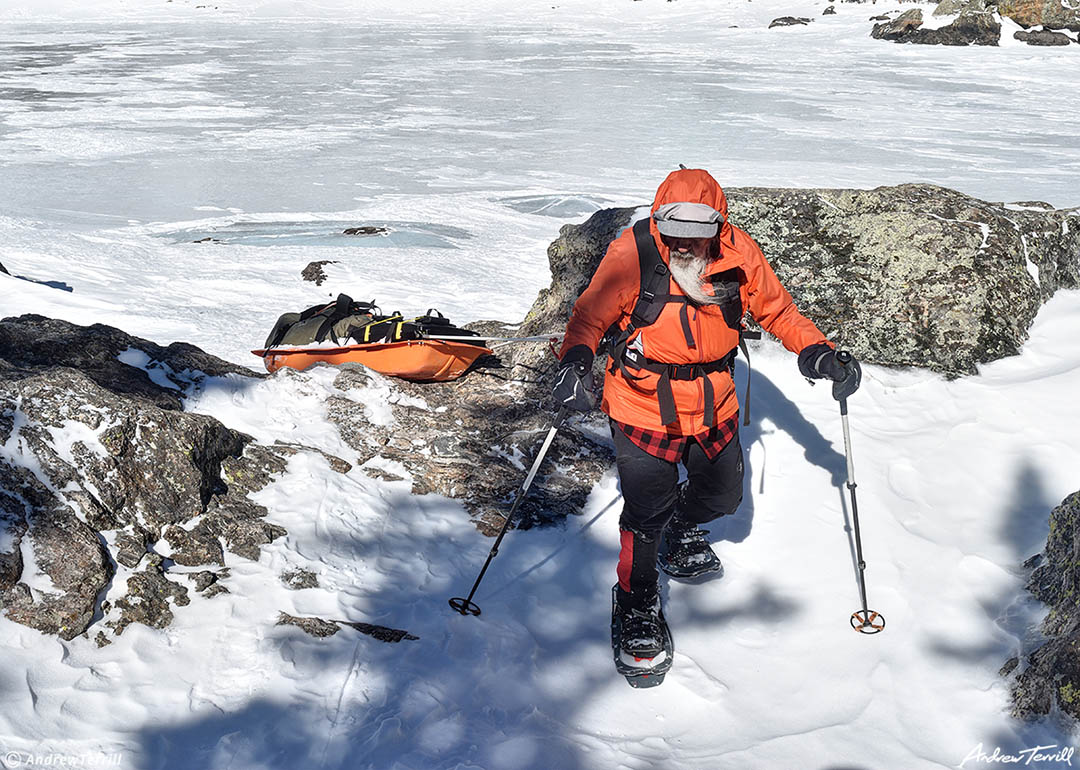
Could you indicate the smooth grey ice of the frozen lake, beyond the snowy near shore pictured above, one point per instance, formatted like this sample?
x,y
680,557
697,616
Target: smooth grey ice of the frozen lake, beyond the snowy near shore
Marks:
x,y
153,121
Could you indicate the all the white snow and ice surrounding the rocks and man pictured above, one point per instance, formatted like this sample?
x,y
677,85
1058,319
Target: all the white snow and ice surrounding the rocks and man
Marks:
x,y
471,133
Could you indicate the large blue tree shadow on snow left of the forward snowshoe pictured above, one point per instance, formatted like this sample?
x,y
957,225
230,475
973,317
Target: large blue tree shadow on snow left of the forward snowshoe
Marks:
x,y
517,687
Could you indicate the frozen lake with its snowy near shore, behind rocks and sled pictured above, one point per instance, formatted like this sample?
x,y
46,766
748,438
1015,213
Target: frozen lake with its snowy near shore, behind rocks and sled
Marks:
x,y
480,139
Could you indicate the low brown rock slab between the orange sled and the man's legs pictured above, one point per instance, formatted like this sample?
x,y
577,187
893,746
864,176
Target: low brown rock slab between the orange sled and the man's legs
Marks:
x,y
472,440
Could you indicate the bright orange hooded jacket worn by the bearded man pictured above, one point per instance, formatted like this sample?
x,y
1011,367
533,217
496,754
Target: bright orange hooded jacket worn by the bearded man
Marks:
x,y
614,291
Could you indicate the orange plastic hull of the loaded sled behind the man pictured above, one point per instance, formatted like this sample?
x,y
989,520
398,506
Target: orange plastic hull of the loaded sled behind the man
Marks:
x,y
424,360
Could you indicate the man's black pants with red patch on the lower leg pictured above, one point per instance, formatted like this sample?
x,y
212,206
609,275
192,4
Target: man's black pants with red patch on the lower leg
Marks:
x,y
651,498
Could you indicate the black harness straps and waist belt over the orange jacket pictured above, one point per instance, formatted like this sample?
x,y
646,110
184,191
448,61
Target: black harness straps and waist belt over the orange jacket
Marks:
x,y
653,296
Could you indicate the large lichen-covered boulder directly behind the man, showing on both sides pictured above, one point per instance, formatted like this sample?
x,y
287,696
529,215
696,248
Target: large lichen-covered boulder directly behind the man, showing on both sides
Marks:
x,y
908,276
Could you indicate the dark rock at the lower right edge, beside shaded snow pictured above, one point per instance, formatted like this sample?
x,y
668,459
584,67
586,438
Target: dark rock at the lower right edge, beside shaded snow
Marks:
x,y
1050,677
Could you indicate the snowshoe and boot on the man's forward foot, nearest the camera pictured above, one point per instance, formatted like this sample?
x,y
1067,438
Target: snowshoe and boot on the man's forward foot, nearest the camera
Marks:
x,y
642,644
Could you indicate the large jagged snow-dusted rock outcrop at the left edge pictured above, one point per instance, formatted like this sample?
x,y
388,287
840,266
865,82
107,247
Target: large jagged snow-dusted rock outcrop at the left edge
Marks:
x,y
97,450
